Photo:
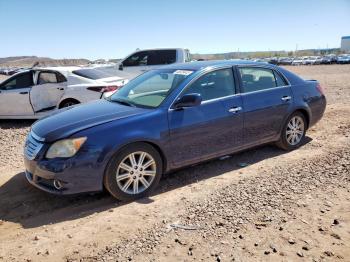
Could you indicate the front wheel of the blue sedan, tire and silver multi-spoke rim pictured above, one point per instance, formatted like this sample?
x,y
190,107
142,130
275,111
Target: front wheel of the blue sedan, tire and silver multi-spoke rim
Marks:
x,y
133,172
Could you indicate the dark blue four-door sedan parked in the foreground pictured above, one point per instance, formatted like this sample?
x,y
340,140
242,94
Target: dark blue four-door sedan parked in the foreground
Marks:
x,y
167,119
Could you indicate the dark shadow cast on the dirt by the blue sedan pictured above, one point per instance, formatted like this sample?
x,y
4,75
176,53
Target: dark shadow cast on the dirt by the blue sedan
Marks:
x,y
21,203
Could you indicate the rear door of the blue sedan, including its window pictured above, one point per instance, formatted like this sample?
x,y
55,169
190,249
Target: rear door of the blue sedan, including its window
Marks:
x,y
267,99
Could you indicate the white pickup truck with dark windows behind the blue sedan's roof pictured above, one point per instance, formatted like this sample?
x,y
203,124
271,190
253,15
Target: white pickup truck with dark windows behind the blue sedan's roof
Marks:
x,y
143,60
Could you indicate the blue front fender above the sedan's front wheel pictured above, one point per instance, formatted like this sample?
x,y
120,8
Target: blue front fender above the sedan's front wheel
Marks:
x,y
109,138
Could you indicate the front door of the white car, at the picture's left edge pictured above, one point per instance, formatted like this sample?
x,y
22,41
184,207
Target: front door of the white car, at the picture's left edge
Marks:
x,y
14,95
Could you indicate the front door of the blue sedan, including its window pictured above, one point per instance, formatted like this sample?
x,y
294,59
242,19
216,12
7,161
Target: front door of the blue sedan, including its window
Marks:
x,y
211,129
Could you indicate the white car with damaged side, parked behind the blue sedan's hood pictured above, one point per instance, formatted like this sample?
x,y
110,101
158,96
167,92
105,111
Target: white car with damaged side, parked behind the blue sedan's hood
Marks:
x,y
37,92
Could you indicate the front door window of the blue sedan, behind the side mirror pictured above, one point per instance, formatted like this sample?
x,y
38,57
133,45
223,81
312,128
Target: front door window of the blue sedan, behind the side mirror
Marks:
x,y
213,85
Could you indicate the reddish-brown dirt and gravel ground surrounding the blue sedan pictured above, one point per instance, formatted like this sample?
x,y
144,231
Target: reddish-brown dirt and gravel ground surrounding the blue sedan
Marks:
x,y
260,205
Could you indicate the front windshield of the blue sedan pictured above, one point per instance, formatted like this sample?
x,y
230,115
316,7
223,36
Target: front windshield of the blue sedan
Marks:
x,y
150,89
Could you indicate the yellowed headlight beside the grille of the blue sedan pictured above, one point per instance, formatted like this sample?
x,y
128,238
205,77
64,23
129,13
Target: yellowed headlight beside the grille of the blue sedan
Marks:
x,y
65,147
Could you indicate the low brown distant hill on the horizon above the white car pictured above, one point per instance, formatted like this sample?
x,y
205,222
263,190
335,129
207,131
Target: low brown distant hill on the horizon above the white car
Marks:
x,y
28,61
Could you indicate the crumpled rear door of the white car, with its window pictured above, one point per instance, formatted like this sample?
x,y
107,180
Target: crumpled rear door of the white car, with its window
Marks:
x,y
50,87
